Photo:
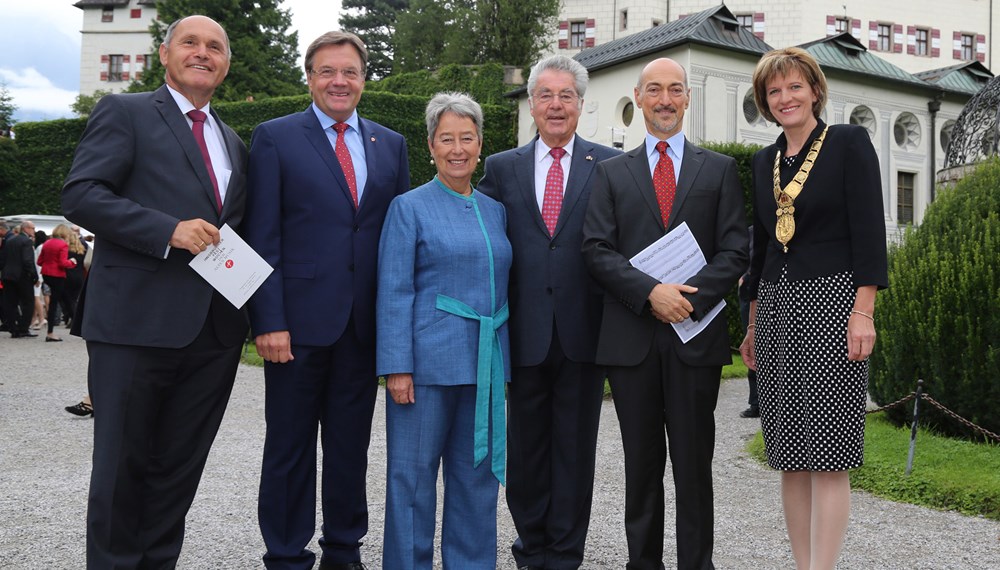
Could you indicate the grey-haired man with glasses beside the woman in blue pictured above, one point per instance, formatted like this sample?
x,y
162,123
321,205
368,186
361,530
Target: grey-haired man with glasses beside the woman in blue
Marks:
x,y
556,389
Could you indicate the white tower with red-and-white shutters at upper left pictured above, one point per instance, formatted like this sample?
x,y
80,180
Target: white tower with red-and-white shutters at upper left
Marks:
x,y
116,43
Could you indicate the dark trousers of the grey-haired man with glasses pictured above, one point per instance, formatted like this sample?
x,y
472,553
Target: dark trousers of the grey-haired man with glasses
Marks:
x,y
554,412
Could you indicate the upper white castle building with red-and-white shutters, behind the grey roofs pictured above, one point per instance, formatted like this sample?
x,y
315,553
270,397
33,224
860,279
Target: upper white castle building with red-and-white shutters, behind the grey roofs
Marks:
x,y
917,35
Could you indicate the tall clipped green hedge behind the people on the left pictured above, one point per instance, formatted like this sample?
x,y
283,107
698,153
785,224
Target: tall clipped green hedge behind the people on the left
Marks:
x,y
43,151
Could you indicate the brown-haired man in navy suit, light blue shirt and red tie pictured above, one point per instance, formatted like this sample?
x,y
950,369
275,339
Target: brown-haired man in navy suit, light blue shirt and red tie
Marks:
x,y
319,185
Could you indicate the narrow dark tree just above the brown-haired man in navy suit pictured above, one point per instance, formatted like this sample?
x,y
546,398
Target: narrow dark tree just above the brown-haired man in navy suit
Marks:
x,y
374,21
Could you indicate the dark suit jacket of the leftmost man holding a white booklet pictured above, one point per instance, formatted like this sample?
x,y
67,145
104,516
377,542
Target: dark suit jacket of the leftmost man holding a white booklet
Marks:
x,y
137,172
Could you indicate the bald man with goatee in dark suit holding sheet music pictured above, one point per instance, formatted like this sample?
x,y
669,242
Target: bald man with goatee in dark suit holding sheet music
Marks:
x,y
659,382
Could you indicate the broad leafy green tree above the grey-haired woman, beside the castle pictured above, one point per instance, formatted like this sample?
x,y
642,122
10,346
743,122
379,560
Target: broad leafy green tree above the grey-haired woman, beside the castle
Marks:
x,y
432,33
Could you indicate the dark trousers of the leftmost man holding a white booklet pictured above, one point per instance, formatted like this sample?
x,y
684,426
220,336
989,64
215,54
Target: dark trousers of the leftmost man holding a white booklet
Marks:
x,y
160,410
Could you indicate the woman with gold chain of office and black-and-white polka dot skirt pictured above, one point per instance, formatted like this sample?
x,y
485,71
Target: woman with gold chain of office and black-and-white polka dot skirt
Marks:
x,y
819,258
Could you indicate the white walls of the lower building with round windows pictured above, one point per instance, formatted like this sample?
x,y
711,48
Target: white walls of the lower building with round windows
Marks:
x,y
909,138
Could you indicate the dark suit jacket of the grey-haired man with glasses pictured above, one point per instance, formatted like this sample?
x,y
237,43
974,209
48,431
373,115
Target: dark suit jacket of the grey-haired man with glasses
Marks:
x,y
549,282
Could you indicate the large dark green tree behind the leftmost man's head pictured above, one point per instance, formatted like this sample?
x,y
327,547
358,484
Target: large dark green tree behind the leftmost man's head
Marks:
x,y
264,51
